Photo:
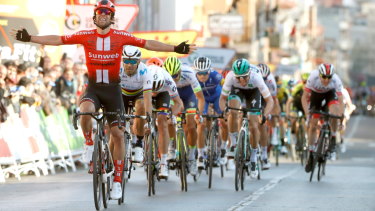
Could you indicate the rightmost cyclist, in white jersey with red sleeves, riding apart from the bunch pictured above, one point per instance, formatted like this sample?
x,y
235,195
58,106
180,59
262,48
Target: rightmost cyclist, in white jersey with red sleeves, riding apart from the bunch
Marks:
x,y
323,86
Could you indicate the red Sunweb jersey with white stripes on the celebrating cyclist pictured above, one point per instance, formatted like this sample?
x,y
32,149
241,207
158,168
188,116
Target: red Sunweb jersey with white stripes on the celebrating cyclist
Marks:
x,y
103,52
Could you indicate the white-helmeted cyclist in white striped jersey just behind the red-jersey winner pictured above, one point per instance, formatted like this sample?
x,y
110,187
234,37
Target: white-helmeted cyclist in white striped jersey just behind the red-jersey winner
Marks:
x,y
136,85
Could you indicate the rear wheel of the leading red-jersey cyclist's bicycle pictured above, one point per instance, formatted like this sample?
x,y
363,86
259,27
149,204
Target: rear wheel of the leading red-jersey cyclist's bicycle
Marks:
x,y
106,181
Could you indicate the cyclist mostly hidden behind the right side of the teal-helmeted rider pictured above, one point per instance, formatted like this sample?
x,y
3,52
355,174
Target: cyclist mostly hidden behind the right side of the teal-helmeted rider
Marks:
x,y
270,81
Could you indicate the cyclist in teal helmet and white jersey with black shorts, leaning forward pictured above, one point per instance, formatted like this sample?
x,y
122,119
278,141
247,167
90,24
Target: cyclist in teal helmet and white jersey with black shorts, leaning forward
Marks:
x,y
245,85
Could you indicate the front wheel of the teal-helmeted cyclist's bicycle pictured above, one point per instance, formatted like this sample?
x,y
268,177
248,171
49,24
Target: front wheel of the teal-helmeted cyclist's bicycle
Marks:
x,y
238,178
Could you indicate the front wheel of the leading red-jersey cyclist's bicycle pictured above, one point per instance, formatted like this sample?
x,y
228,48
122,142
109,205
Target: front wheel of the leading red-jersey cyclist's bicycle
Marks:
x,y
97,176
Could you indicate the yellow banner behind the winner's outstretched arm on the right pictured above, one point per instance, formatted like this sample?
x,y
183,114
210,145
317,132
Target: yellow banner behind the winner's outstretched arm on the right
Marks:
x,y
168,37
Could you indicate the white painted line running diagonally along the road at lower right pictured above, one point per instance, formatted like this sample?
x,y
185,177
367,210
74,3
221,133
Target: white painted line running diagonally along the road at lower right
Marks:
x,y
254,196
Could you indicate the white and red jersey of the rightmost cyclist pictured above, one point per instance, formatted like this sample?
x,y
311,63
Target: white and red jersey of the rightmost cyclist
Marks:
x,y
314,83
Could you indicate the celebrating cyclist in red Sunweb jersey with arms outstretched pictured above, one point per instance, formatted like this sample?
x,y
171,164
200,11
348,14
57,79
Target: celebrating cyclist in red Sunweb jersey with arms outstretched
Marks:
x,y
103,49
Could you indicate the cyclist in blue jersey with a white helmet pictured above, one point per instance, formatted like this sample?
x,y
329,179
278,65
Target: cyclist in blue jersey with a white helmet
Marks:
x,y
211,84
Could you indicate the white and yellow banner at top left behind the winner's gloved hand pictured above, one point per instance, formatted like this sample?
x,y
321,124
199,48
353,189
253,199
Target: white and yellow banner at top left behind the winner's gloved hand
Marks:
x,y
38,17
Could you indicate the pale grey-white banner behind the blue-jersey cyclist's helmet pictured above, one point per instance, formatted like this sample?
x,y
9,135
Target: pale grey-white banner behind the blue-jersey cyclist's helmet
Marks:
x,y
220,57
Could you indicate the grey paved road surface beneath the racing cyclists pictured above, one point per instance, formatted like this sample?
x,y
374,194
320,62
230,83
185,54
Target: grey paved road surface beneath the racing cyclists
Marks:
x,y
349,184
